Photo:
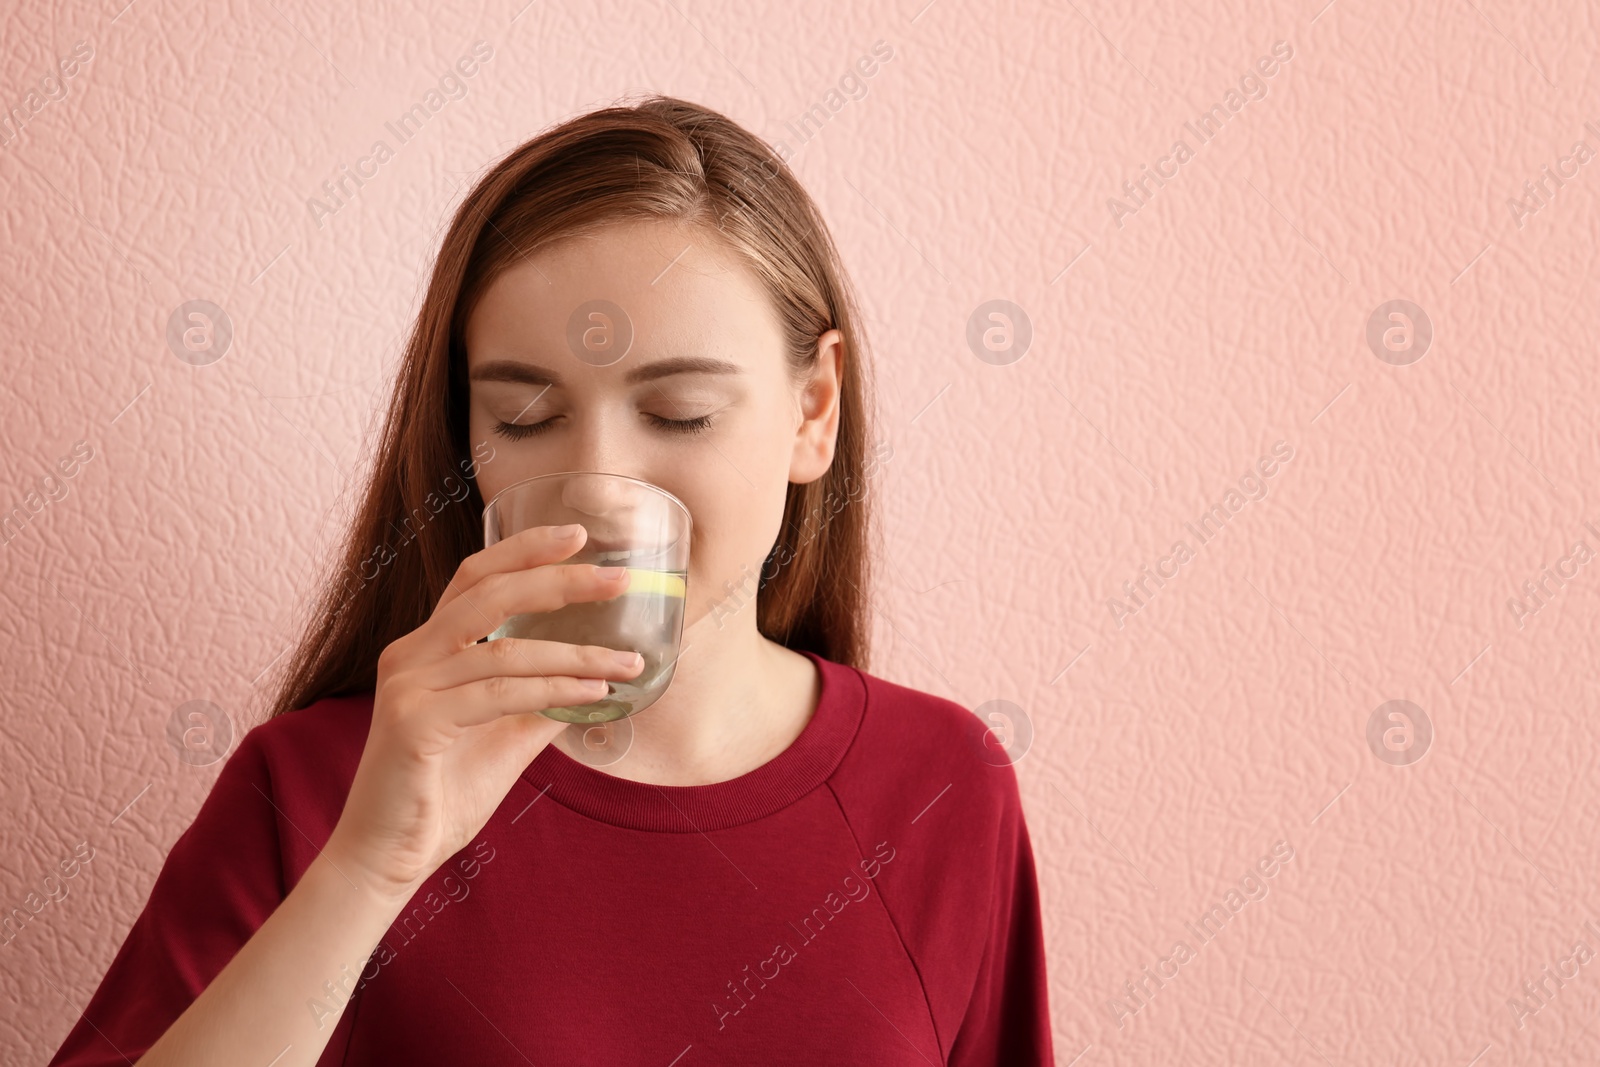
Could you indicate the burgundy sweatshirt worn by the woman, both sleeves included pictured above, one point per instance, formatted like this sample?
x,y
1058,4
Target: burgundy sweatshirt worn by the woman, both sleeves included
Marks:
x,y
868,897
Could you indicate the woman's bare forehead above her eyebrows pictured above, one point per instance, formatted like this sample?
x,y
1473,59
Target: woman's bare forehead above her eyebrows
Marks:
x,y
681,290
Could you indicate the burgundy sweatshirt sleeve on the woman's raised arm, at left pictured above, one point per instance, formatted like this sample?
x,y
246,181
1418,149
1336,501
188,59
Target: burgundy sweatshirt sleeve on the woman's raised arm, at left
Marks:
x,y
218,885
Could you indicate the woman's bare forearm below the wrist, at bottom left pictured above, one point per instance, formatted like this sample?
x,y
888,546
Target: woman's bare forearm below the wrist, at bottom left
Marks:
x,y
270,1005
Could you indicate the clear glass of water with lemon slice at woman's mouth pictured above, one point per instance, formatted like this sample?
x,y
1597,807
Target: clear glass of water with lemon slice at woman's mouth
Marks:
x,y
631,524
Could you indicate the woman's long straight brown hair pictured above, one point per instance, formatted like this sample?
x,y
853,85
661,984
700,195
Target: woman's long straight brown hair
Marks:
x,y
660,159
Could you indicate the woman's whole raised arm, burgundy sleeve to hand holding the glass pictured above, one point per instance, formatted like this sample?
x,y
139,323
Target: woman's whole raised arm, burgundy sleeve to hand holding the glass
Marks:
x,y
454,724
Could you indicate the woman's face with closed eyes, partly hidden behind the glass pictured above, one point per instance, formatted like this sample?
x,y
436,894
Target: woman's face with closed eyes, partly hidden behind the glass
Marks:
x,y
702,404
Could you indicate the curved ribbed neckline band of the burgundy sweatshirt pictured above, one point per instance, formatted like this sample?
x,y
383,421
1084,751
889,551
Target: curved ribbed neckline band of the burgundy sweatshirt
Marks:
x,y
753,796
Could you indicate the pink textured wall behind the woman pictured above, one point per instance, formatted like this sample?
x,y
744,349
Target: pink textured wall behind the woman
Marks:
x,y
1174,338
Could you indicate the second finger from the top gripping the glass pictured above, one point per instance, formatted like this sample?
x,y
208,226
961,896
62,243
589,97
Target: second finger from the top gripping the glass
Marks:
x,y
500,596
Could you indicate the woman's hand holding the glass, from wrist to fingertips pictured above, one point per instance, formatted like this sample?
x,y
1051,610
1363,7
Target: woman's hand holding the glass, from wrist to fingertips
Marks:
x,y
455,722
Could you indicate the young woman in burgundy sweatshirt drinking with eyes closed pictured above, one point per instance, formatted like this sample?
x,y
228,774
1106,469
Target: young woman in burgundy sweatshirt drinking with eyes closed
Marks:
x,y
793,863
